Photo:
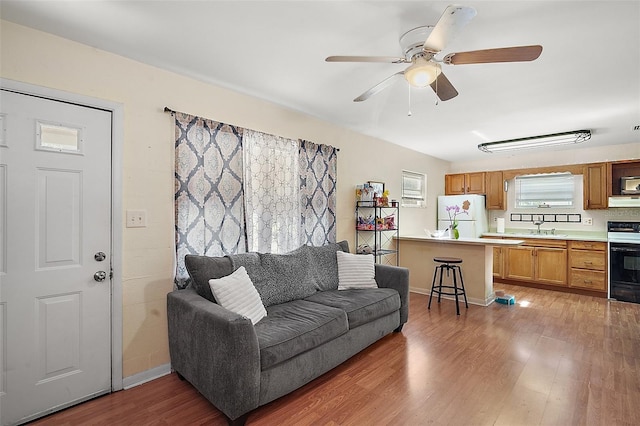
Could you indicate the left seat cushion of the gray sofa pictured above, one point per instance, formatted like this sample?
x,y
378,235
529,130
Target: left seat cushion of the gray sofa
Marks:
x,y
295,327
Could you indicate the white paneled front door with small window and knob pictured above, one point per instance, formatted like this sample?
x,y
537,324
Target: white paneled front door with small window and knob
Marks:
x,y
55,316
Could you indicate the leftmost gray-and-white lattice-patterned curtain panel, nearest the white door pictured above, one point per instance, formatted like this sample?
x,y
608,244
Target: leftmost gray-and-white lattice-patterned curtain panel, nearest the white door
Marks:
x,y
209,201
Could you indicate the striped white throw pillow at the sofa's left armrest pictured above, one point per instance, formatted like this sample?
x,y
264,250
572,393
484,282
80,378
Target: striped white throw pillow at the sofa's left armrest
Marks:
x,y
237,293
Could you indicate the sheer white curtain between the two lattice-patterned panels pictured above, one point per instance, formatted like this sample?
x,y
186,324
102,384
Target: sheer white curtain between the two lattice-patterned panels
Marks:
x,y
272,195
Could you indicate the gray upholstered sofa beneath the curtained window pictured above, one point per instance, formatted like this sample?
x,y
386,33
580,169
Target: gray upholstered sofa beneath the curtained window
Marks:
x,y
310,327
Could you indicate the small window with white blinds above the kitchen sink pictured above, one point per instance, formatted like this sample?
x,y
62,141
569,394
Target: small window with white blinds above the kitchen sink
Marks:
x,y
545,190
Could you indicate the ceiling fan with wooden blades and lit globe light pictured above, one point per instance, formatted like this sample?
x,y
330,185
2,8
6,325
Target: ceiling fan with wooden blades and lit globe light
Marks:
x,y
421,45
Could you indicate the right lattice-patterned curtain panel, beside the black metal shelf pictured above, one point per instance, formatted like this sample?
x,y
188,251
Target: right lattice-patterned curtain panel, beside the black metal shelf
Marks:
x,y
318,181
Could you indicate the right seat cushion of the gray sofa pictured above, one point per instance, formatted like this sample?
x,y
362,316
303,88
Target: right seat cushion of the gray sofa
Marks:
x,y
362,305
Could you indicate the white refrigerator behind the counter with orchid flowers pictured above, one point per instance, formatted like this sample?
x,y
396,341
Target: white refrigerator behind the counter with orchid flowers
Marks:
x,y
472,215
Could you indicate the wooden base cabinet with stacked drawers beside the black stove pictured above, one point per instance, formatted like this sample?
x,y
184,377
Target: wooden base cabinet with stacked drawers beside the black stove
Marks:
x,y
588,262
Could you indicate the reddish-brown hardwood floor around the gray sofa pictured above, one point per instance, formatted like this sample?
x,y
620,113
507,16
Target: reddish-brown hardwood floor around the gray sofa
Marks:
x,y
564,359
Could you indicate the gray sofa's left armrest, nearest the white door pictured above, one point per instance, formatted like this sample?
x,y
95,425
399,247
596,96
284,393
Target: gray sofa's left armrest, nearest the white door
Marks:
x,y
216,350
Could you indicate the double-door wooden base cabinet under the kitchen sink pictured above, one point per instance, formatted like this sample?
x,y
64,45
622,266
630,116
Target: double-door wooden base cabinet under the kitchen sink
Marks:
x,y
539,261
